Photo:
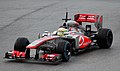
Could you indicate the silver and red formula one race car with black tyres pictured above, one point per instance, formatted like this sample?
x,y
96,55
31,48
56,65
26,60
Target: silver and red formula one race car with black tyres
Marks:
x,y
59,46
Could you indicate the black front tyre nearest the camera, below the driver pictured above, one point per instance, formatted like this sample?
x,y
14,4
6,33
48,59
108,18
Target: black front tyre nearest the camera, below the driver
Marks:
x,y
64,49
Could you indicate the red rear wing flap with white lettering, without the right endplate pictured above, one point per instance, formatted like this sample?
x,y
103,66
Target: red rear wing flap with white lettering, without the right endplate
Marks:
x,y
86,18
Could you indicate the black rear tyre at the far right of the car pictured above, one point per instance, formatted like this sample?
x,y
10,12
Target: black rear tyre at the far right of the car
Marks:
x,y
104,38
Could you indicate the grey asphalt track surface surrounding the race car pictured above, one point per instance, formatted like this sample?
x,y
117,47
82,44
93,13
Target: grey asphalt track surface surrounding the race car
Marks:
x,y
29,17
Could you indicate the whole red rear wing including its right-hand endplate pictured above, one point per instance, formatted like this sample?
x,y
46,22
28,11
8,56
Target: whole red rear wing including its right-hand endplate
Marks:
x,y
92,18
